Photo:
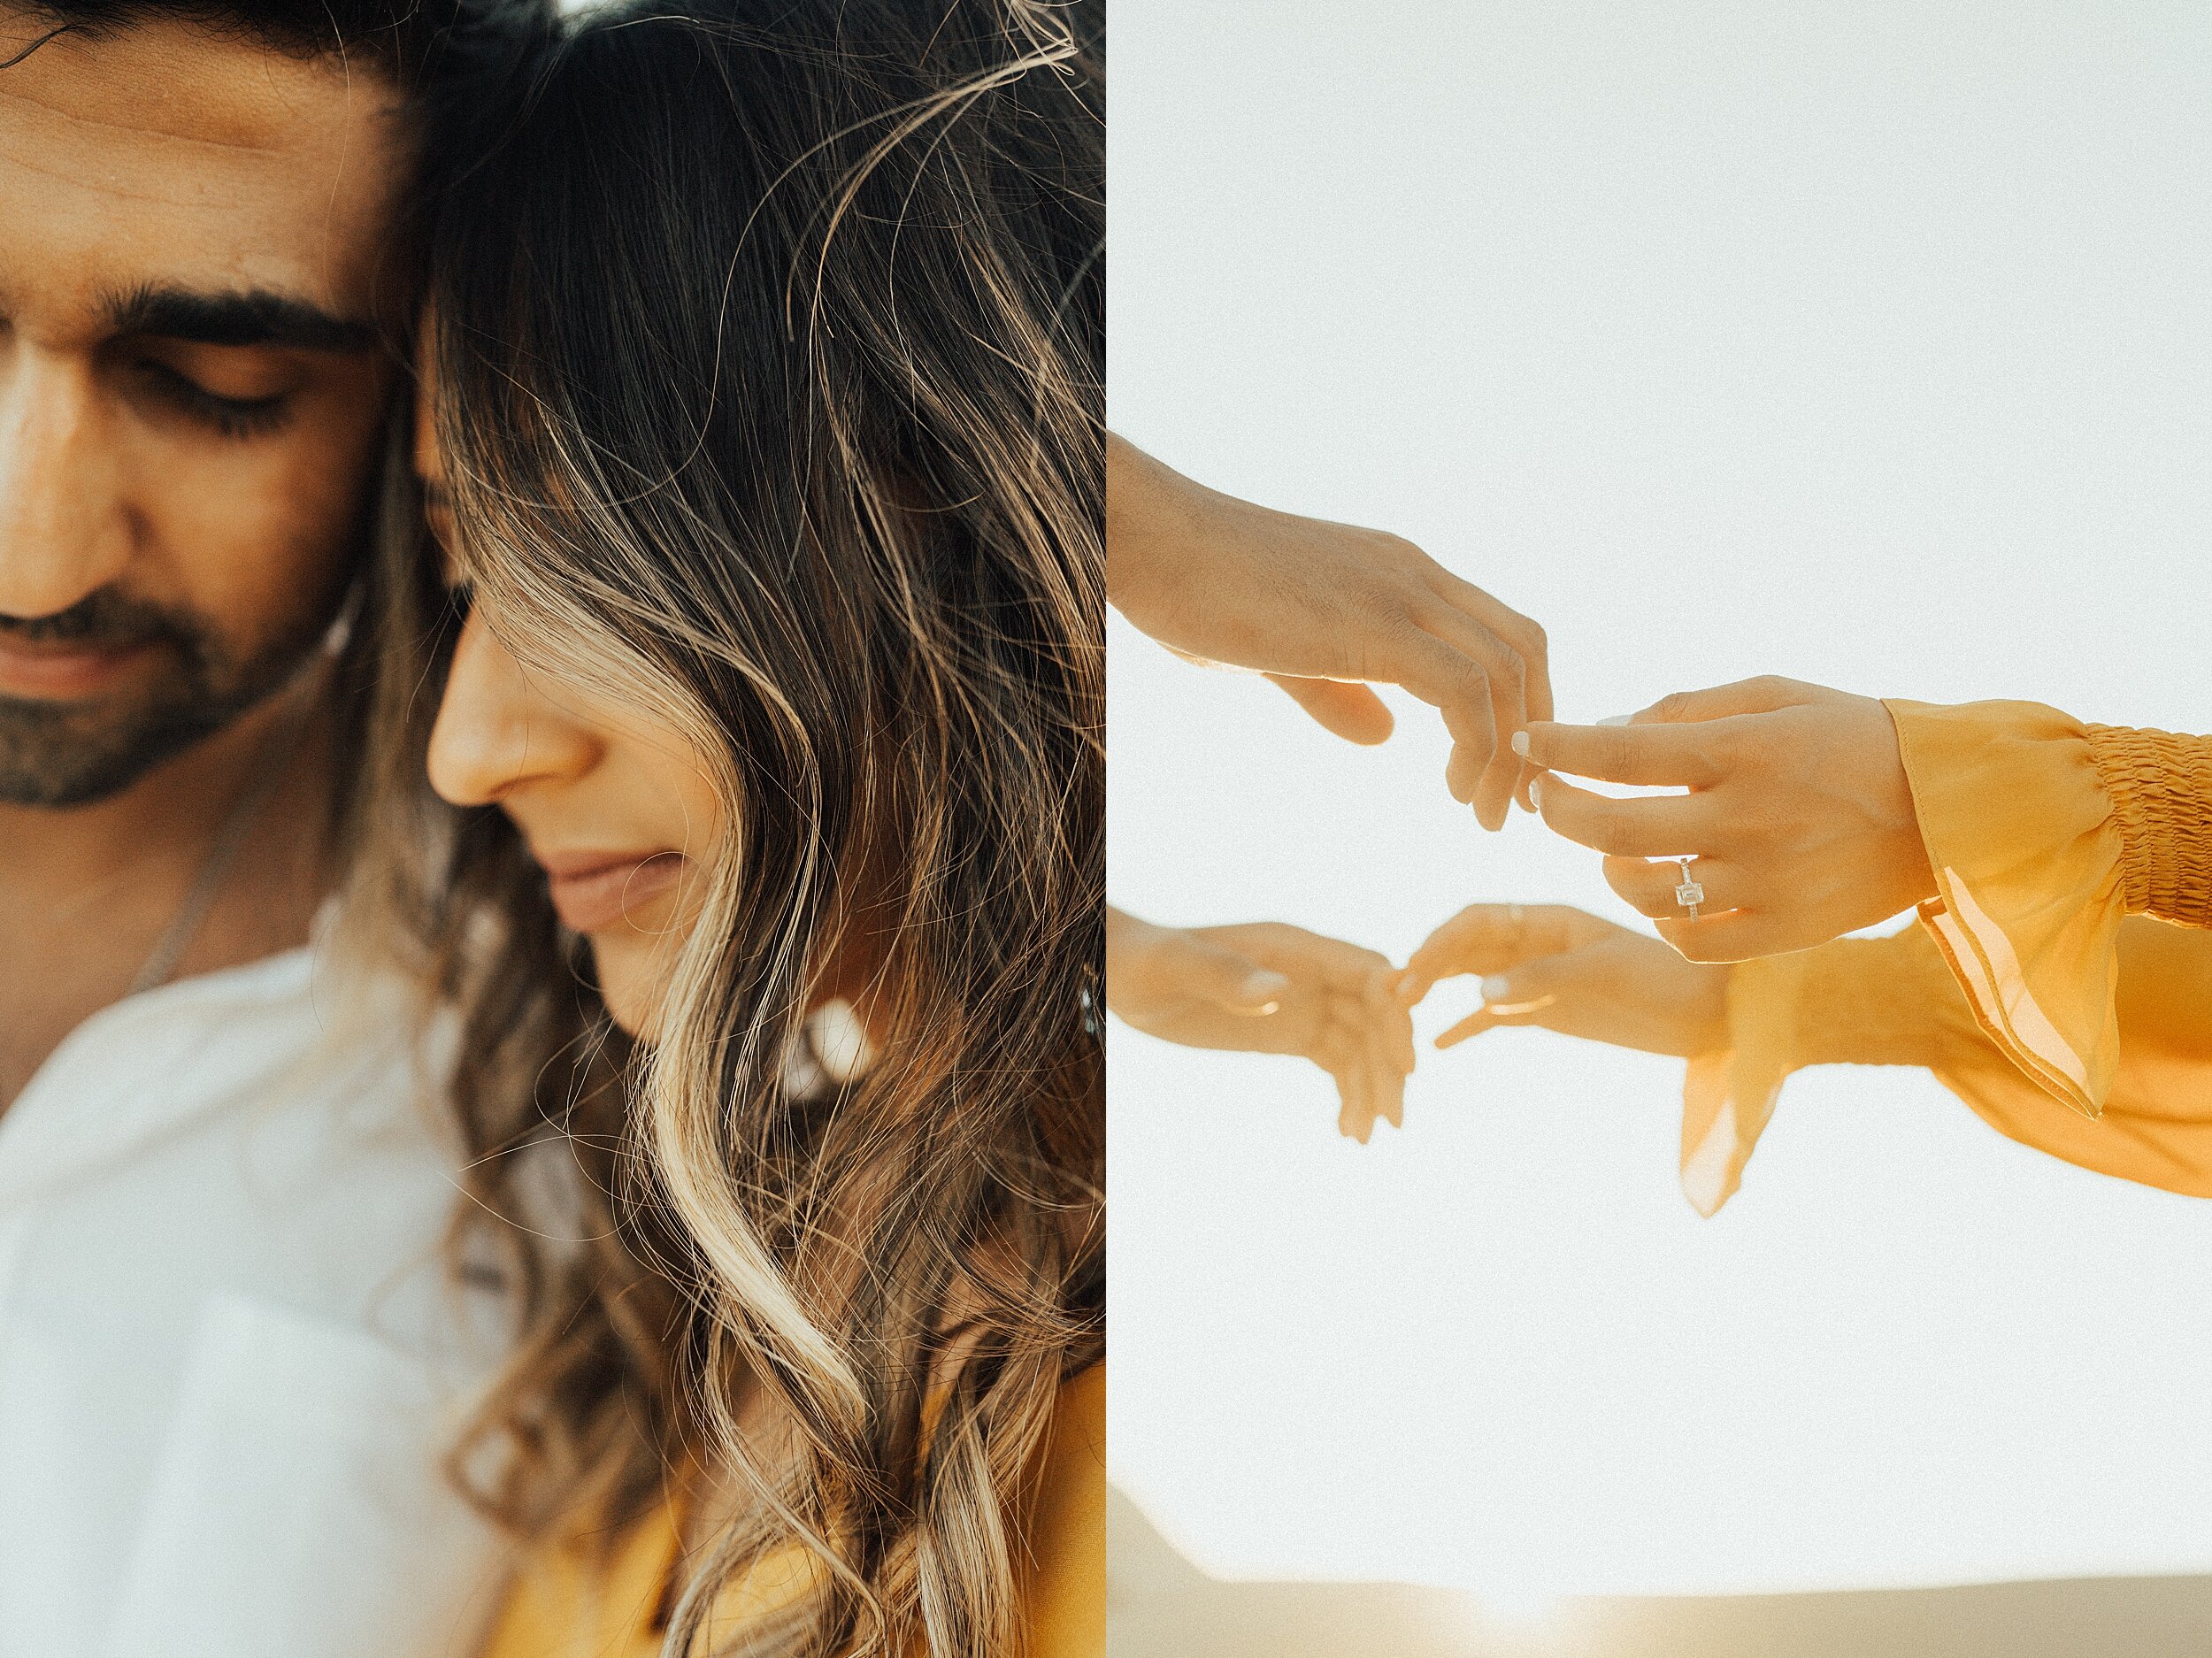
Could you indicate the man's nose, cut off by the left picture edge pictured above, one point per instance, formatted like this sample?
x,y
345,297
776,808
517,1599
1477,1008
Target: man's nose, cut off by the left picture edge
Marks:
x,y
63,525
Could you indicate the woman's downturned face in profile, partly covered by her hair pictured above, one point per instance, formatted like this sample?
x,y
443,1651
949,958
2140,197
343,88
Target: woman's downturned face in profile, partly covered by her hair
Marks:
x,y
614,808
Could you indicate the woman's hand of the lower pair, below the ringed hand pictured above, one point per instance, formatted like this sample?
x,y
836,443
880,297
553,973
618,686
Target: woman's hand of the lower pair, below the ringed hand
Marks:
x,y
1561,969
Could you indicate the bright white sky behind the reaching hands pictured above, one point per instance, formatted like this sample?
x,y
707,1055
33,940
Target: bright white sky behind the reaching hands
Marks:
x,y
1861,344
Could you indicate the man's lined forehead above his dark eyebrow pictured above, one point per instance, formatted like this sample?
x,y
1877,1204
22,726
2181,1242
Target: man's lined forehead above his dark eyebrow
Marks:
x,y
220,162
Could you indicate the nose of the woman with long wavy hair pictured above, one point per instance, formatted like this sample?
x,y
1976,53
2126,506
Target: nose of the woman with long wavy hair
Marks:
x,y
497,731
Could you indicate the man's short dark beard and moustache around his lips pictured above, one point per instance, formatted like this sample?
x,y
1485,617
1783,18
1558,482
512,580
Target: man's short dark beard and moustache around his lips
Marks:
x,y
72,755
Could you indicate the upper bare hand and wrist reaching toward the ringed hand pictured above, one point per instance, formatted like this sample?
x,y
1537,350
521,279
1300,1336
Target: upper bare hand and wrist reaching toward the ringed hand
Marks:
x,y
1326,611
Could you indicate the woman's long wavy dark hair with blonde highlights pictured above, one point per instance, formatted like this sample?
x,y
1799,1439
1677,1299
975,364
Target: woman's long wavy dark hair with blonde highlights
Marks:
x,y
771,355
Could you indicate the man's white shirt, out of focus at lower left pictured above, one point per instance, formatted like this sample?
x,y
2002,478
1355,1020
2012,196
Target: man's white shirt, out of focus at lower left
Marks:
x,y
229,1358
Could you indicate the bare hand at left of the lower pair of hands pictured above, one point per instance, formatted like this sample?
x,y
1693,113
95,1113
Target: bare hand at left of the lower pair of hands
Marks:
x,y
1269,989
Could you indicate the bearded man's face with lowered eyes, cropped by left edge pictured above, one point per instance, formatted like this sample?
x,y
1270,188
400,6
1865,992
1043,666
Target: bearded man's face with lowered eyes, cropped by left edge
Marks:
x,y
194,240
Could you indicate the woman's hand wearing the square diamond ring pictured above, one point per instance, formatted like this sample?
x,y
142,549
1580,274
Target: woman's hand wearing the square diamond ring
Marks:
x,y
1799,815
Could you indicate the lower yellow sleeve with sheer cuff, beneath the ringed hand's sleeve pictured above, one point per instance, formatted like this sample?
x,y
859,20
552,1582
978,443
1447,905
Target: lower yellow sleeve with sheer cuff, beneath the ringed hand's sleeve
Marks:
x,y
1897,1003
